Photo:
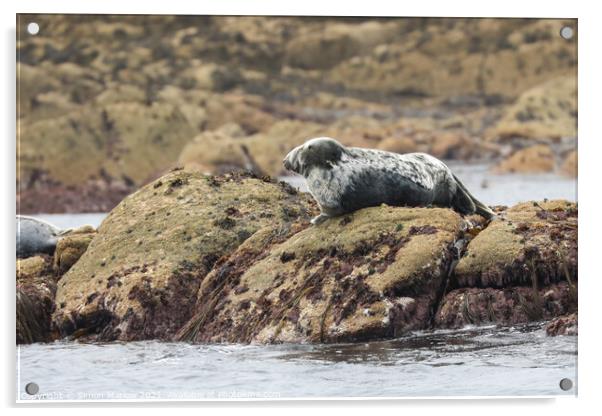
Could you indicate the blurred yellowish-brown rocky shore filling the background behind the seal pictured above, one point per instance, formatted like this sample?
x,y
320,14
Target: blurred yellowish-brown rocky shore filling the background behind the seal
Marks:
x,y
110,103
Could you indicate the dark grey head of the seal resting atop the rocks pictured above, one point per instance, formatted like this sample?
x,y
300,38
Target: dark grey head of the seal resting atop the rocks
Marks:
x,y
320,152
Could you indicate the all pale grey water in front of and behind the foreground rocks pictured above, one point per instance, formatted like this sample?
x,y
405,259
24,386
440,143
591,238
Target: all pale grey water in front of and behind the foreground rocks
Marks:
x,y
485,361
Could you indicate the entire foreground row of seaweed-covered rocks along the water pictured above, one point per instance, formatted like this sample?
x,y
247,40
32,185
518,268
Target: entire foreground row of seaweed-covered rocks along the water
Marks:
x,y
233,258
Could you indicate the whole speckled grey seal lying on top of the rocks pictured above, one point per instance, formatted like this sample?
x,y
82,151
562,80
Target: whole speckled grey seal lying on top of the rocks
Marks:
x,y
344,179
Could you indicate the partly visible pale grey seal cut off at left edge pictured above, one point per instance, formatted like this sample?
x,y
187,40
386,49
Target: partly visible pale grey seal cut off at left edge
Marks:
x,y
35,236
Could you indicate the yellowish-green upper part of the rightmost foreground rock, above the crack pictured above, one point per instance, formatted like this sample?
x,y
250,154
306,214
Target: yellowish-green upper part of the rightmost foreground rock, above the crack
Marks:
x,y
529,239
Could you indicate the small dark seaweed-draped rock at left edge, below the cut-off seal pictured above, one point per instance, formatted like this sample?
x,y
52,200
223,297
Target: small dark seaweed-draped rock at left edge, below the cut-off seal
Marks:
x,y
36,286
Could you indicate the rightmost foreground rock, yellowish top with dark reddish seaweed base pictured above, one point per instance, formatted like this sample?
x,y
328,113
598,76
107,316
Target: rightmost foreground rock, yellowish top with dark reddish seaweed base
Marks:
x,y
522,267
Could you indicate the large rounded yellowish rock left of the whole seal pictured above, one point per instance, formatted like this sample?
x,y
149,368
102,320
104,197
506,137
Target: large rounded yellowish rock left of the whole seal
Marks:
x,y
140,275
